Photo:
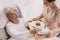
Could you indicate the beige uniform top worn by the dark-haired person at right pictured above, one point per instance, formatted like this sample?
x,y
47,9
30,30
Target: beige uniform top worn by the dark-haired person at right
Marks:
x,y
52,16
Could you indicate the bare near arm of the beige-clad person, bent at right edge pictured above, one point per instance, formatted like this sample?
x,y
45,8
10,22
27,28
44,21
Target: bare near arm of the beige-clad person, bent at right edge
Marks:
x,y
57,24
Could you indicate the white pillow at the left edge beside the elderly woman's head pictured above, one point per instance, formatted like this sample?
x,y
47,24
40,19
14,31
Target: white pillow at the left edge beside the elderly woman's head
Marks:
x,y
3,19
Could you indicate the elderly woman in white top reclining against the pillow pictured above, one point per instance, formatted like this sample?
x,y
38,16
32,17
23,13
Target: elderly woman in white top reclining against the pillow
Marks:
x,y
16,26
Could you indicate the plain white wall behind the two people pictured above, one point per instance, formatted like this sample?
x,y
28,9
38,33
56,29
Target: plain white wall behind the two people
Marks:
x,y
29,8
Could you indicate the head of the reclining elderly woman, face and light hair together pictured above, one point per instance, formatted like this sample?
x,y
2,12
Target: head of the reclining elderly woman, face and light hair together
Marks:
x,y
12,15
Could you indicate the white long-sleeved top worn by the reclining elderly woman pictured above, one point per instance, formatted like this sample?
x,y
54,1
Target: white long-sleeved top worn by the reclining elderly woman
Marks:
x,y
18,31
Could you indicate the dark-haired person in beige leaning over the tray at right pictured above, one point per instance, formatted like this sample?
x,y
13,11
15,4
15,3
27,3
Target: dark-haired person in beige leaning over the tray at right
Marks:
x,y
51,13
